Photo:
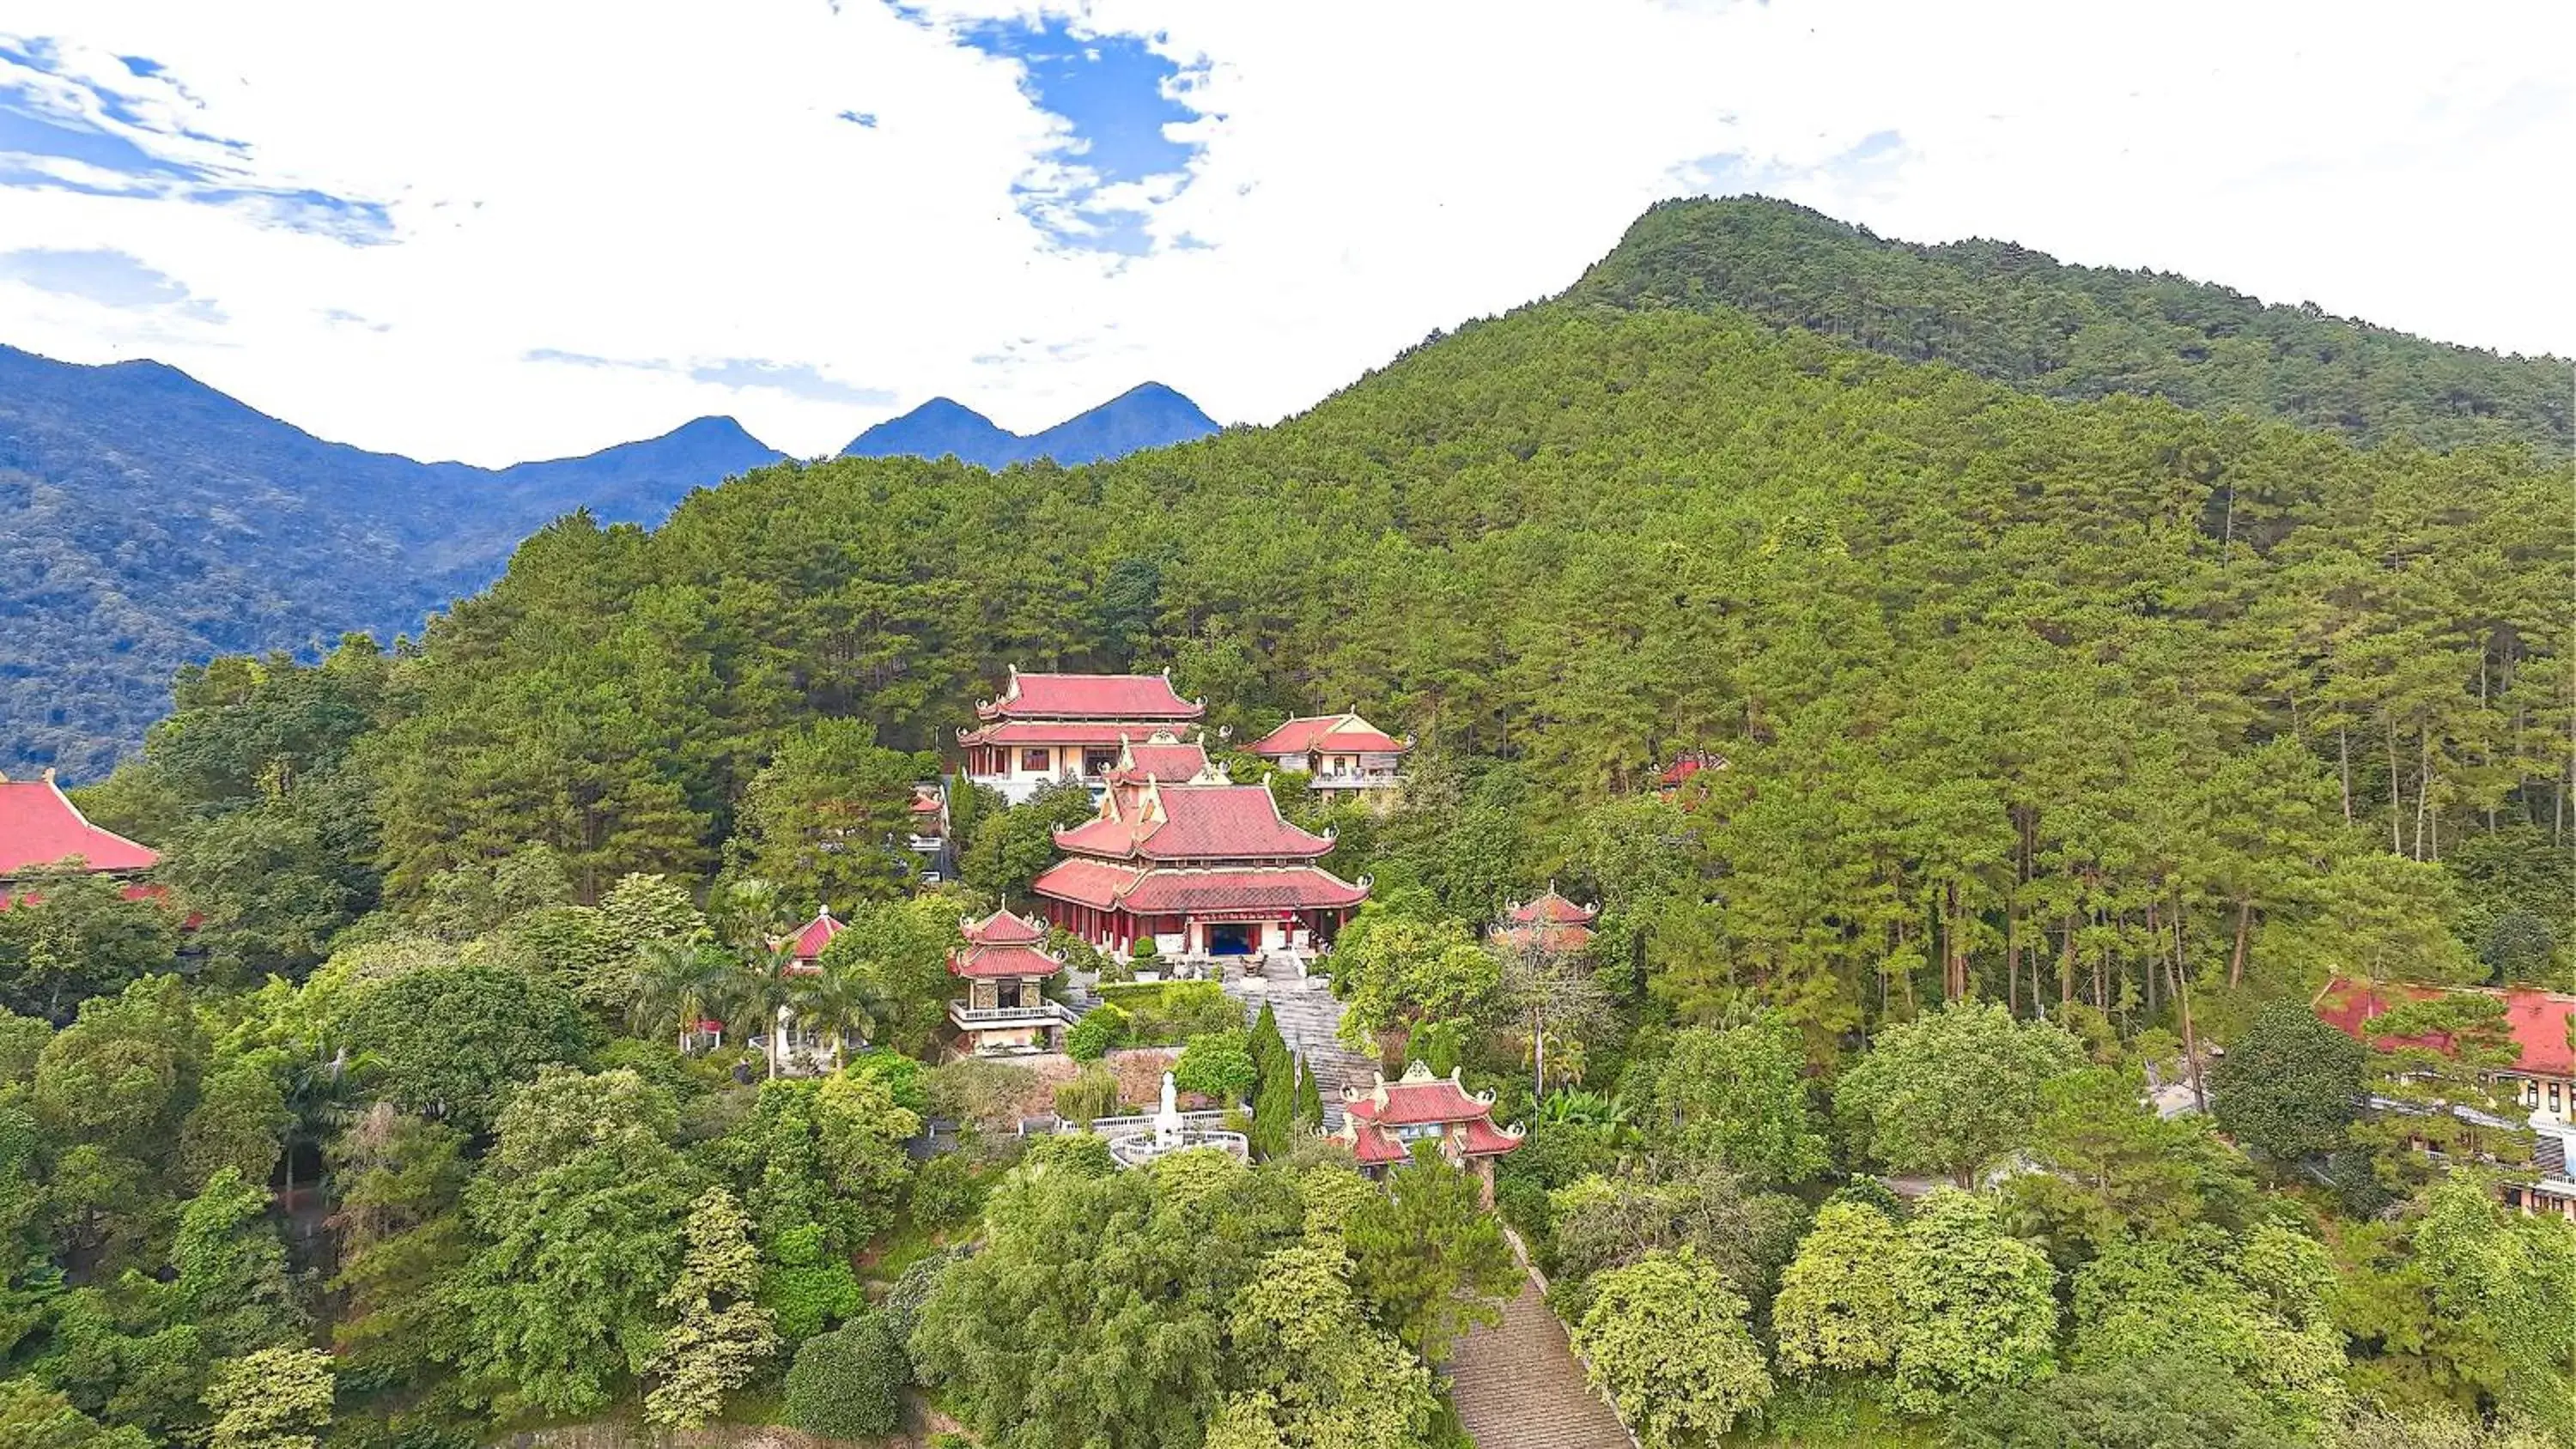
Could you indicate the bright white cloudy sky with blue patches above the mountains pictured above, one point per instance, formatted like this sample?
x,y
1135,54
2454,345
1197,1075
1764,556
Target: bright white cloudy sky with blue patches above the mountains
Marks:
x,y
506,230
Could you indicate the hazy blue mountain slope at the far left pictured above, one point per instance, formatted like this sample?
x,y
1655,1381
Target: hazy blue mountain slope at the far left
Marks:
x,y
151,521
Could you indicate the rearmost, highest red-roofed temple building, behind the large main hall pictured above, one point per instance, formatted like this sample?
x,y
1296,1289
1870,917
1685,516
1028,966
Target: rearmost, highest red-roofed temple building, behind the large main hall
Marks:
x,y
1068,727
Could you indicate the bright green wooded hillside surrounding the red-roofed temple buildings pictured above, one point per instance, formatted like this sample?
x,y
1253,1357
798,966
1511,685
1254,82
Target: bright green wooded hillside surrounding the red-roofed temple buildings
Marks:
x,y
2049,745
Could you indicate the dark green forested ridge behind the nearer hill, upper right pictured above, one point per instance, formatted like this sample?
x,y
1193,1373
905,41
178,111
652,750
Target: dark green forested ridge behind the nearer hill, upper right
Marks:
x,y
2023,318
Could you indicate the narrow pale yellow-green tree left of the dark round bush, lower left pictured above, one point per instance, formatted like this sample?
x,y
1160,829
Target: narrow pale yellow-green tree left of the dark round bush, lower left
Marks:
x,y
723,1337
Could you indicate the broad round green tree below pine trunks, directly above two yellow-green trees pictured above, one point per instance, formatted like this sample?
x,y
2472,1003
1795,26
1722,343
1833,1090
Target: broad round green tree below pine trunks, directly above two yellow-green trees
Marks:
x,y
1954,1090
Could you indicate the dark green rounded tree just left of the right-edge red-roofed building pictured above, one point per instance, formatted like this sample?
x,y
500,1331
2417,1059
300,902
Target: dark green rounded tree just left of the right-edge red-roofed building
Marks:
x,y
2291,1087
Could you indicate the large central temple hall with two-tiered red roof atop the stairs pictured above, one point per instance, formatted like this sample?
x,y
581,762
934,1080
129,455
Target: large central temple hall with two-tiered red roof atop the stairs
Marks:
x,y
1207,871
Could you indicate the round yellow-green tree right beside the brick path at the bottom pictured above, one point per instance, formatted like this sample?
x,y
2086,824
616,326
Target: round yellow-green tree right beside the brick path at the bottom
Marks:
x,y
1671,1347
